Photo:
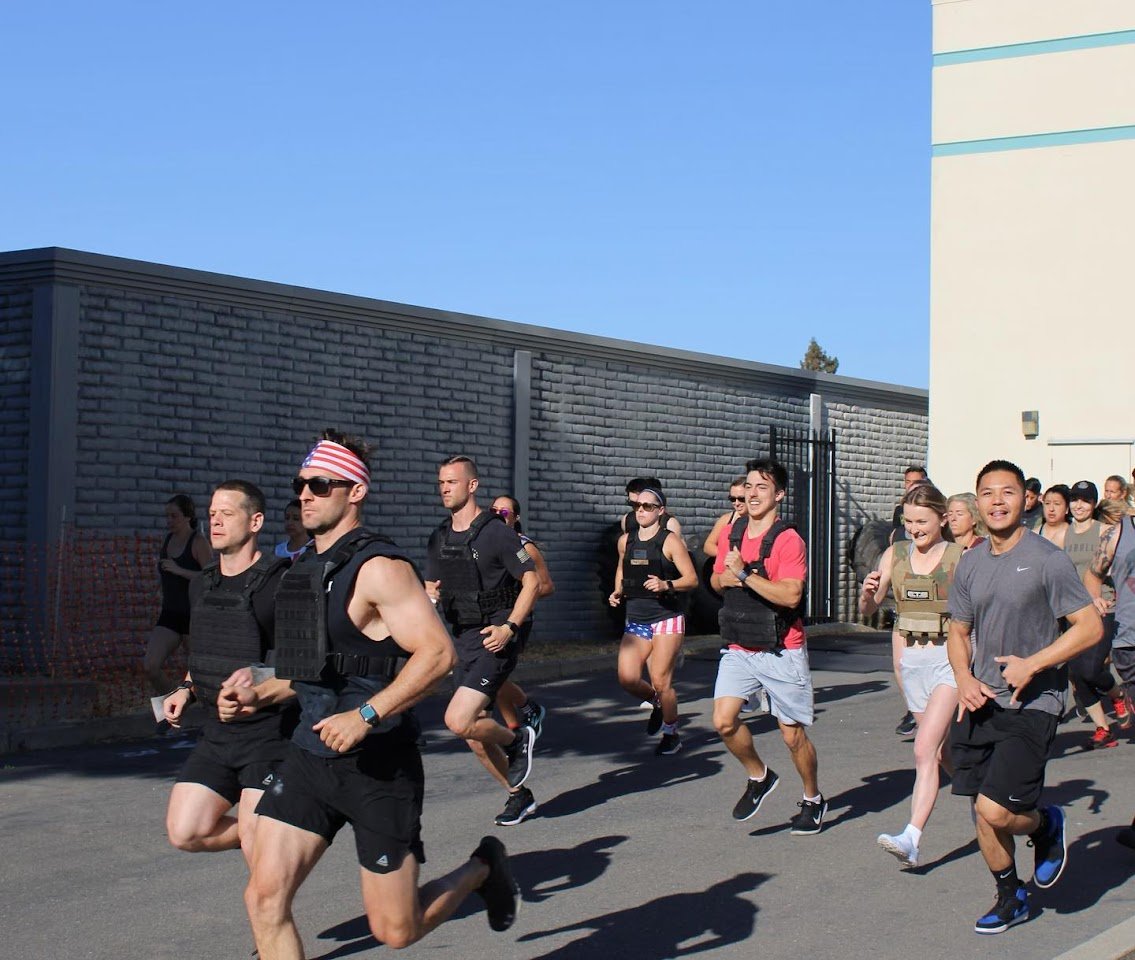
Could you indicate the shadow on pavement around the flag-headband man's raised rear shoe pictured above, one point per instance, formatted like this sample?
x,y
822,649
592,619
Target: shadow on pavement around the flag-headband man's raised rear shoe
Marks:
x,y
542,874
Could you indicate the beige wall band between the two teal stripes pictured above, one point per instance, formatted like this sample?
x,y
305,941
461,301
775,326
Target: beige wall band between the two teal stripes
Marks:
x,y
1072,91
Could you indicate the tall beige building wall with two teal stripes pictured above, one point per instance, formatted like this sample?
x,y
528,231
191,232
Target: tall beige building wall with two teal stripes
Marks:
x,y
1033,239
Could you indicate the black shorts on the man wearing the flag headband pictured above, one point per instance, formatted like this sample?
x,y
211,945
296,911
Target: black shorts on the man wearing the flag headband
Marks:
x,y
379,790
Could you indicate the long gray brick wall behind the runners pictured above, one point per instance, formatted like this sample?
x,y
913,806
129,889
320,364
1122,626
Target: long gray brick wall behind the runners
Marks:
x,y
187,380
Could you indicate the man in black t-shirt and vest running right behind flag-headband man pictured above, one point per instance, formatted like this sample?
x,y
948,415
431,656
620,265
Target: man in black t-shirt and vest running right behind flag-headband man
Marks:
x,y
485,585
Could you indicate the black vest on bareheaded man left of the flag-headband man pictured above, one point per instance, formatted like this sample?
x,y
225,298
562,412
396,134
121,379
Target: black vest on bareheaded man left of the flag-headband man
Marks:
x,y
224,633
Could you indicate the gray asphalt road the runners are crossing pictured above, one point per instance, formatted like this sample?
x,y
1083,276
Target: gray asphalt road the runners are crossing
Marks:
x,y
632,856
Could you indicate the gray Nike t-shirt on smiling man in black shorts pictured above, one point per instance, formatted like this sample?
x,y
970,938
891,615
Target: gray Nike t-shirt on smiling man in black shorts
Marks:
x,y
1014,602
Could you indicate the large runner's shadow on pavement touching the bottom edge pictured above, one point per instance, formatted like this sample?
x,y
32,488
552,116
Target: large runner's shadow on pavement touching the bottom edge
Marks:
x,y
678,925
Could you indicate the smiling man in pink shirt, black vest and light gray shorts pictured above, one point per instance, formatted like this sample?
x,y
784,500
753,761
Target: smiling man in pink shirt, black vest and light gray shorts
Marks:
x,y
761,571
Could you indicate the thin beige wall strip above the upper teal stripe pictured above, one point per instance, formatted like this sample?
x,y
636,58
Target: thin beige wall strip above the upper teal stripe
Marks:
x,y
973,24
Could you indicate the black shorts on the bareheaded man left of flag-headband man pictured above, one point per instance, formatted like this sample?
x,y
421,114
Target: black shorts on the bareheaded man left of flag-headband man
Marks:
x,y
233,757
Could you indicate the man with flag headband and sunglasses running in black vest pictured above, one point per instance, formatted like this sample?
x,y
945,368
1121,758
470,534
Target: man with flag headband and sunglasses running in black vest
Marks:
x,y
359,641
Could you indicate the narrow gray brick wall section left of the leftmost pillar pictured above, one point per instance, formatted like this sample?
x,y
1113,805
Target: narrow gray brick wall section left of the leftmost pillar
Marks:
x,y
15,399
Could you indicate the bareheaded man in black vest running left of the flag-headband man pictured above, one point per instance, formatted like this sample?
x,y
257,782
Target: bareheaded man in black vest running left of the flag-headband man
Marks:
x,y
234,618
